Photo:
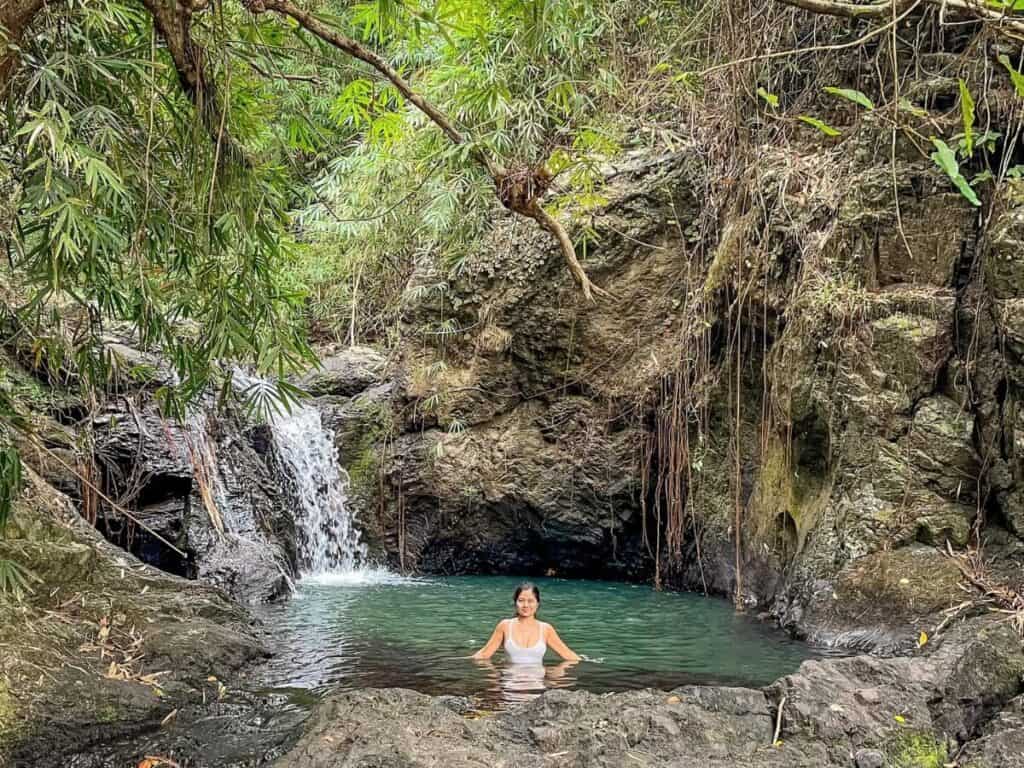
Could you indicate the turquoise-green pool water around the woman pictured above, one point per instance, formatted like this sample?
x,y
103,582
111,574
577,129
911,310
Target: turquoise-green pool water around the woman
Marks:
x,y
418,634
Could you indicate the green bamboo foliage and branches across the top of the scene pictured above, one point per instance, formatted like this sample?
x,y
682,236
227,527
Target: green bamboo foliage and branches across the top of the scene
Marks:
x,y
225,180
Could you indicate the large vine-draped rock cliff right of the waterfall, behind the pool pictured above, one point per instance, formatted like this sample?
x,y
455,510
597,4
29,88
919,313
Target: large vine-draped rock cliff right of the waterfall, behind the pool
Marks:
x,y
864,416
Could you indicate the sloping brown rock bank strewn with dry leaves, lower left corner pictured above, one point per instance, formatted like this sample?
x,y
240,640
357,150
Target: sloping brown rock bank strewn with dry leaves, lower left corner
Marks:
x,y
104,647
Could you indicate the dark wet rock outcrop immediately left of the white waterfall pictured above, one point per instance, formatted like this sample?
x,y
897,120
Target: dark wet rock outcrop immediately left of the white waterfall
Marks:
x,y
211,488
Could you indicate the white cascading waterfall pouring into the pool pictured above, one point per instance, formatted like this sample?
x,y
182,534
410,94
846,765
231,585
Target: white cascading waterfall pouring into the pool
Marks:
x,y
328,539
